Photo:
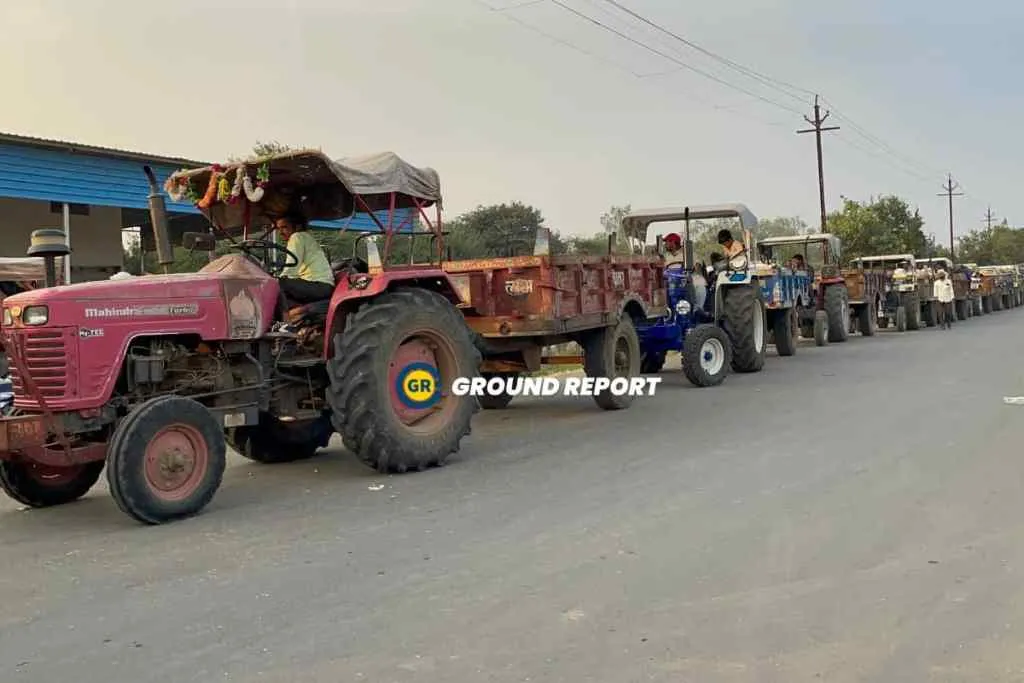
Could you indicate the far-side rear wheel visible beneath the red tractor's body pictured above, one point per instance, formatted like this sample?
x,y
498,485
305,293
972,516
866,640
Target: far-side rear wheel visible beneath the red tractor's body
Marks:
x,y
274,442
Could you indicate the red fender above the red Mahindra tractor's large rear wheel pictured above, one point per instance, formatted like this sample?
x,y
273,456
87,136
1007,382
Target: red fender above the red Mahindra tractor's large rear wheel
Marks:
x,y
348,297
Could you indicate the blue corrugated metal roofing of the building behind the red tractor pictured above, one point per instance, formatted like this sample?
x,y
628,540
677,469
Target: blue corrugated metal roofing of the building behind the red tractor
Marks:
x,y
54,172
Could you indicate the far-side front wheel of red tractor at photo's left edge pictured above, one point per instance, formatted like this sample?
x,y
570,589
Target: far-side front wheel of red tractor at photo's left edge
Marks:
x,y
42,486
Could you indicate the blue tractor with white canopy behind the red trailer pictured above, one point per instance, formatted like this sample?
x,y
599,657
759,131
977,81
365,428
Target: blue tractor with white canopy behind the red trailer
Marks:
x,y
715,323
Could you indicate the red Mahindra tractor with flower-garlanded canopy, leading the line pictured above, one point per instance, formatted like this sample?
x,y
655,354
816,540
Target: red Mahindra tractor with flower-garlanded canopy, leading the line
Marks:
x,y
154,376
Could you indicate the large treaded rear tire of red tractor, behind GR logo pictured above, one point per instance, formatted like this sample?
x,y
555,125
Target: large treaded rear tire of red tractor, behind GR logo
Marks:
x,y
388,339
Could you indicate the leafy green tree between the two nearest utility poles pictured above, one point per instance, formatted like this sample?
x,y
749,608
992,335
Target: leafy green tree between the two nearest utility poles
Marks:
x,y
886,226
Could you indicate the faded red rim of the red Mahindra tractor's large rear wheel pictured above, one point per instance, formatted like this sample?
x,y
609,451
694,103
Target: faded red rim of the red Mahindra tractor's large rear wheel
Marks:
x,y
428,350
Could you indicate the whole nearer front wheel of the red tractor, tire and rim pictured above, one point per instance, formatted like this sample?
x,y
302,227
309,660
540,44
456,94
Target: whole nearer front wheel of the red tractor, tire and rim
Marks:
x,y
166,460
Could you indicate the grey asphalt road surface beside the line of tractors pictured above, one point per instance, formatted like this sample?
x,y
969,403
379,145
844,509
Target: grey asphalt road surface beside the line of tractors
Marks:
x,y
854,514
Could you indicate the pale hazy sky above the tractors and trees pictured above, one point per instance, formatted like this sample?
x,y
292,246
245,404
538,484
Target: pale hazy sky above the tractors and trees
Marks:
x,y
537,104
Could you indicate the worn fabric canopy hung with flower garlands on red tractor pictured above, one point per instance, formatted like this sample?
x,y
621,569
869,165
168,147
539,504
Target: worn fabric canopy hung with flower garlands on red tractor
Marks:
x,y
255,192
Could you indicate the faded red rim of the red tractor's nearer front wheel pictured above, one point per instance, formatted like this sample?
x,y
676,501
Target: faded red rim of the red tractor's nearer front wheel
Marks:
x,y
177,461
